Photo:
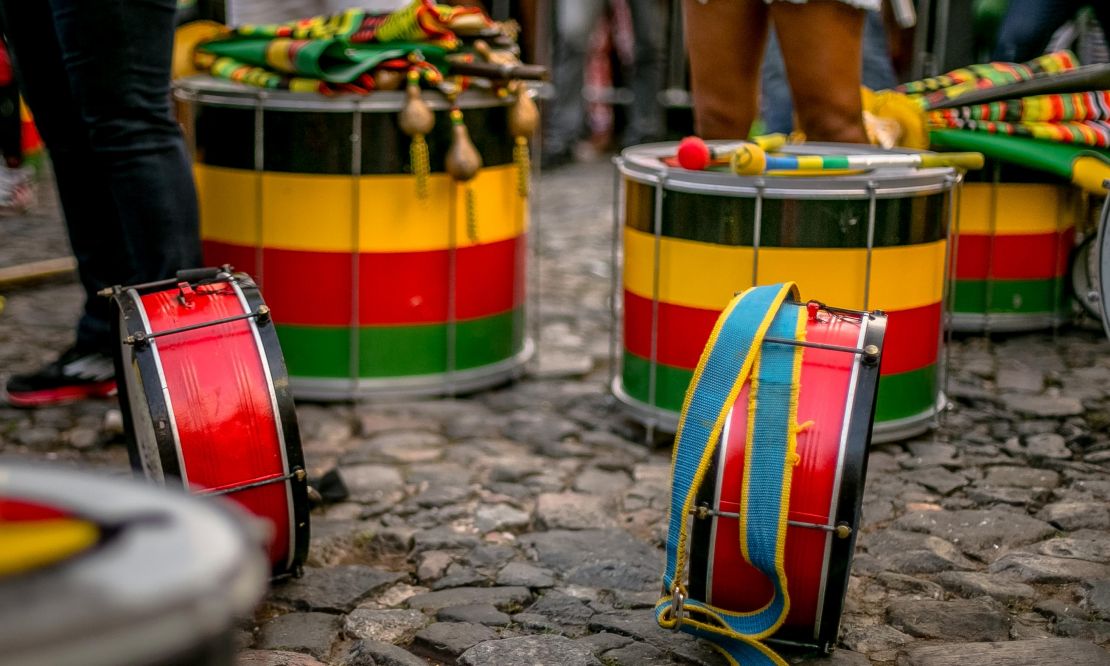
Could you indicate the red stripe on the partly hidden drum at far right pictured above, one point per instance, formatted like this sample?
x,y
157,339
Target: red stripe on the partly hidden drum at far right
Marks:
x,y
1015,257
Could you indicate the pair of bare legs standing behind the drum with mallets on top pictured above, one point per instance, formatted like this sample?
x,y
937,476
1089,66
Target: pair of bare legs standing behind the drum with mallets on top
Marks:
x,y
822,48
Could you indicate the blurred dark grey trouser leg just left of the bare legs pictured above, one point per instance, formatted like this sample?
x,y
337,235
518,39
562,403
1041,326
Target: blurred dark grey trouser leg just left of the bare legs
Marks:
x,y
645,118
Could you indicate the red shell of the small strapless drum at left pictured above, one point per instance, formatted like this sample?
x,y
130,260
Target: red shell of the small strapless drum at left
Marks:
x,y
221,402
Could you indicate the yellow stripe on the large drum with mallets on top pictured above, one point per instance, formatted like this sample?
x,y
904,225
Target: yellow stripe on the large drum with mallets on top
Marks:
x,y
708,276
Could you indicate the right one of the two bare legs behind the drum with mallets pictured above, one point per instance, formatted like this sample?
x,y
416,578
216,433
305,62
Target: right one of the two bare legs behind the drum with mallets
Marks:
x,y
821,44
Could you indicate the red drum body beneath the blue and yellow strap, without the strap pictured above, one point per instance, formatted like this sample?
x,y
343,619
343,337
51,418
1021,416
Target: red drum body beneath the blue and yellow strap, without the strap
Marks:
x,y
836,399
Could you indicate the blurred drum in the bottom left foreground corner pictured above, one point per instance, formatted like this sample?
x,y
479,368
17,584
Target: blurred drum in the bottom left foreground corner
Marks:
x,y
104,572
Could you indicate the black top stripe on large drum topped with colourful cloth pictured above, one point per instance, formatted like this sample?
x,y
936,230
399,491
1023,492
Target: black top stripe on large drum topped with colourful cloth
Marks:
x,y
320,142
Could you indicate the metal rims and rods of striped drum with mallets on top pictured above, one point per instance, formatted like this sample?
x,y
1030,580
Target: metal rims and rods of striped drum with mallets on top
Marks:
x,y
761,188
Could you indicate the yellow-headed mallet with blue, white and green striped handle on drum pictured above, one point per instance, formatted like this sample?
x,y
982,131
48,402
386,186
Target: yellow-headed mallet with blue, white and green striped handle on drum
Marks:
x,y
752,160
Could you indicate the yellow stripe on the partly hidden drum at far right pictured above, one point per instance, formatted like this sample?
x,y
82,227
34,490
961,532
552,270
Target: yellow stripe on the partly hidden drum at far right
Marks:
x,y
1021,208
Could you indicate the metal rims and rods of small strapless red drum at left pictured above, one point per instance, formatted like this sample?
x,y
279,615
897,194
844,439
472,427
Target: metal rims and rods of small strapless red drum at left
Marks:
x,y
155,445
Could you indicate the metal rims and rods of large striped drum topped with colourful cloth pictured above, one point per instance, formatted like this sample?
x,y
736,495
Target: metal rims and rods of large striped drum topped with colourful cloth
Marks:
x,y
214,93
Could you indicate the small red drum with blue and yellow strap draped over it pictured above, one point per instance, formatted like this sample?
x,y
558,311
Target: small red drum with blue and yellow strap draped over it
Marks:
x,y
818,488
